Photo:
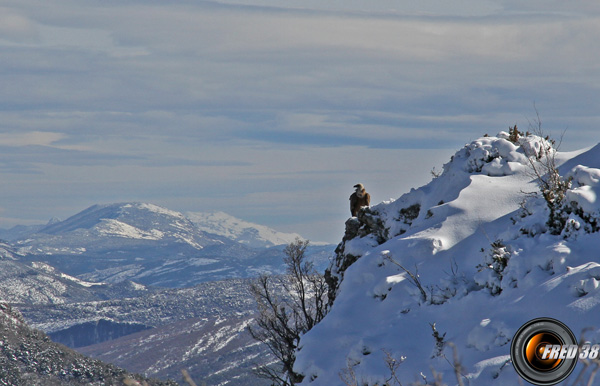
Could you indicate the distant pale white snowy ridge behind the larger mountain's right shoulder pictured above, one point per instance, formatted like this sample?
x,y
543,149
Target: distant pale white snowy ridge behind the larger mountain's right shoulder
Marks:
x,y
247,233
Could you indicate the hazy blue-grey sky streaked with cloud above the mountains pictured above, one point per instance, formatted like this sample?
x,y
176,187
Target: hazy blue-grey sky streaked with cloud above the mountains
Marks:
x,y
272,110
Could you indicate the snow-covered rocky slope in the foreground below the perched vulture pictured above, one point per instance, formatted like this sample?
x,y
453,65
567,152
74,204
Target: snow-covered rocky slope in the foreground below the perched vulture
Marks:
x,y
445,233
